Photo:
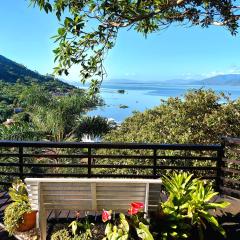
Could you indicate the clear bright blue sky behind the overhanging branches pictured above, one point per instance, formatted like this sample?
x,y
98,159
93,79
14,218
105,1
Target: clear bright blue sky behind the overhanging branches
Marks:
x,y
175,53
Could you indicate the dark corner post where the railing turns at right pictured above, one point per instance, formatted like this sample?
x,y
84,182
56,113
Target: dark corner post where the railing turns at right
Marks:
x,y
220,156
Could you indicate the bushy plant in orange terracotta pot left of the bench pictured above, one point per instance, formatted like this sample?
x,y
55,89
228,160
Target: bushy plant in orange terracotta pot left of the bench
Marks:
x,y
19,216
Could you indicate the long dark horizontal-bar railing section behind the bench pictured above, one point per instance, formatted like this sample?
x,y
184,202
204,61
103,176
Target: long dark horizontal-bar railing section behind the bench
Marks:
x,y
135,160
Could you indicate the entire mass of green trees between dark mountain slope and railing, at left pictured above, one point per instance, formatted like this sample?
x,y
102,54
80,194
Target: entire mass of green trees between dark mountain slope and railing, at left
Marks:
x,y
46,113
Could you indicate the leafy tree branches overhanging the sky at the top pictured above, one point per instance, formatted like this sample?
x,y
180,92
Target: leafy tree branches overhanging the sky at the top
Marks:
x,y
89,28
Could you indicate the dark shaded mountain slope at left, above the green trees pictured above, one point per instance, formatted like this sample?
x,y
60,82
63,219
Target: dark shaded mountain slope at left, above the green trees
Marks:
x,y
11,72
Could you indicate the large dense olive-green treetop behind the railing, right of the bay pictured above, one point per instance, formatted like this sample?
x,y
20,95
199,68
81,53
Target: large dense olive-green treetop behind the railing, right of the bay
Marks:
x,y
201,116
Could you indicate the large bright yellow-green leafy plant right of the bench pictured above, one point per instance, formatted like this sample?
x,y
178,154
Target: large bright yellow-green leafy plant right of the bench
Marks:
x,y
185,214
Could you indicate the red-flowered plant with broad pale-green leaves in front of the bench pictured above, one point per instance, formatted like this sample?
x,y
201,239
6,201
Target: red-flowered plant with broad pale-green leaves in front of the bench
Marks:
x,y
127,228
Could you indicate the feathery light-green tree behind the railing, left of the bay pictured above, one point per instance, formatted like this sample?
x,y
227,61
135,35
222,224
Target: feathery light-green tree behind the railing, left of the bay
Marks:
x,y
56,115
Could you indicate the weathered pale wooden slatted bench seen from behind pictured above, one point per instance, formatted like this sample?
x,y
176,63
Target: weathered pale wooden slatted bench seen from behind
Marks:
x,y
90,195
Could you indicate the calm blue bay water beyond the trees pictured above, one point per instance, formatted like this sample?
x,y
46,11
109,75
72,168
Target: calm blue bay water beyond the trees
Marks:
x,y
140,96
